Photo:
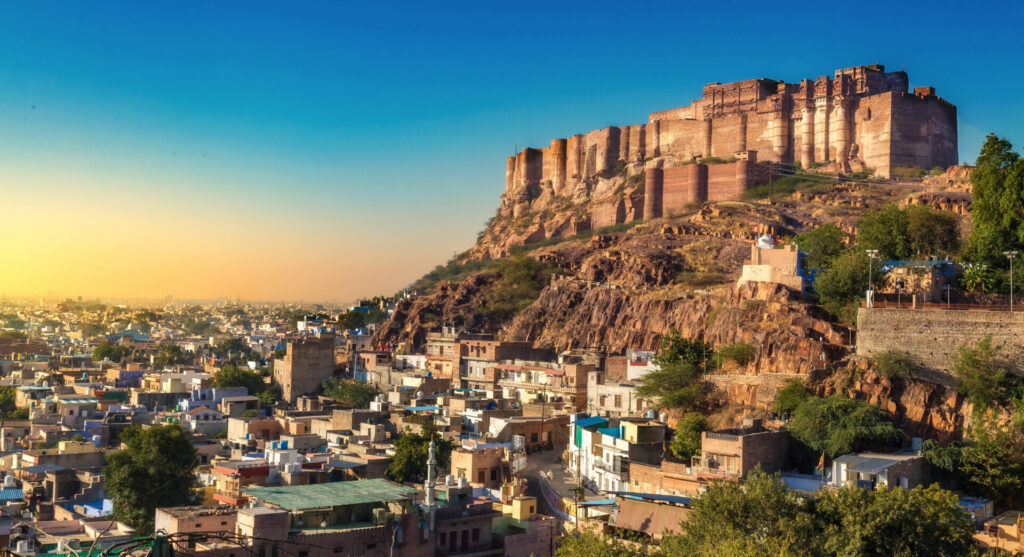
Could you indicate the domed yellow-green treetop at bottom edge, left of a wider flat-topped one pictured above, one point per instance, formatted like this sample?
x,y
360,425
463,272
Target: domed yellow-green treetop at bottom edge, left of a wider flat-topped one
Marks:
x,y
759,518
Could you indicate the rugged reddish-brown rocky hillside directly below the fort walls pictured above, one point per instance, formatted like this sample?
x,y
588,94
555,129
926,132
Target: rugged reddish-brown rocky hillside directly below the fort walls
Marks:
x,y
628,287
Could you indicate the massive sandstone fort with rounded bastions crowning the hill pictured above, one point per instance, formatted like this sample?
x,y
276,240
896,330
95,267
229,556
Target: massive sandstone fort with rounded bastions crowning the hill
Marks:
x,y
862,117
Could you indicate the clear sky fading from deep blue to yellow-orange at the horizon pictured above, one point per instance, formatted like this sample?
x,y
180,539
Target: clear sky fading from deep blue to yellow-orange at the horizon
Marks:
x,y
326,152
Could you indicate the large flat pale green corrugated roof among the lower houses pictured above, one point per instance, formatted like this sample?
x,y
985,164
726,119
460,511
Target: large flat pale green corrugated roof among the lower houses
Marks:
x,y
338,494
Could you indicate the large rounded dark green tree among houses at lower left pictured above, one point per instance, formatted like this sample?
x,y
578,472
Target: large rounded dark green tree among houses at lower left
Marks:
x,y
155,468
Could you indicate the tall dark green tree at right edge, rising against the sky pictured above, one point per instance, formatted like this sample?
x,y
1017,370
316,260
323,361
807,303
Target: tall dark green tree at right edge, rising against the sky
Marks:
x,y
998,209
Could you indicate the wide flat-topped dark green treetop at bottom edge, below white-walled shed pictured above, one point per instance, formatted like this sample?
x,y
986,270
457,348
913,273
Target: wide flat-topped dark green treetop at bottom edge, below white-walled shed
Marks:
x,y
893,523
